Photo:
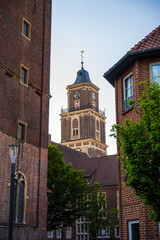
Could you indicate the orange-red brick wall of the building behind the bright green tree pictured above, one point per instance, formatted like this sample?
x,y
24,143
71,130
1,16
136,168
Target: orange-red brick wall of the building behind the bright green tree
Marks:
x,y
131,208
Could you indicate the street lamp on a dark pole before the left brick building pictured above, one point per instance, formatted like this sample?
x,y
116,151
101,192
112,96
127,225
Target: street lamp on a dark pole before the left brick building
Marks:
x,y
13,152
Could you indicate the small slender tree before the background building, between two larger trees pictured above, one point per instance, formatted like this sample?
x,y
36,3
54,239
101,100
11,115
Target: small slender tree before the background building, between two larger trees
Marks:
x,y
97,215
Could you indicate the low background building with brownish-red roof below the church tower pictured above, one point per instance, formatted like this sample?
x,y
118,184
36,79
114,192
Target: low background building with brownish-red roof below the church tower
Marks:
x,y
99,169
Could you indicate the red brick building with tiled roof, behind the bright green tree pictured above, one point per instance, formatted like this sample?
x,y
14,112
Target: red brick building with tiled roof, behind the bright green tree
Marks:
x,y
141,63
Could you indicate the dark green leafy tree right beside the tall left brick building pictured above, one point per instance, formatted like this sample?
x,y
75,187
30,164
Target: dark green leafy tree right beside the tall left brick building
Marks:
x,y
66,202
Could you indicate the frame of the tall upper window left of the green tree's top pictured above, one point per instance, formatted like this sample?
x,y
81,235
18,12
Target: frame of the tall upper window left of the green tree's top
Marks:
x,y
125,105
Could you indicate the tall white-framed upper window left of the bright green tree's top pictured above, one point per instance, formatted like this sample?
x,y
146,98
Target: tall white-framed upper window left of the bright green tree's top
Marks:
x,y
127,91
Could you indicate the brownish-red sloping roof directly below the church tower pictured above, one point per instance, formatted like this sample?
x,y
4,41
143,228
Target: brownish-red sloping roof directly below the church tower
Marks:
x,y
101,169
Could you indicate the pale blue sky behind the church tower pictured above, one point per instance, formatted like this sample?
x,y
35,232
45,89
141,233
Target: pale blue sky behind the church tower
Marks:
x,y
105,30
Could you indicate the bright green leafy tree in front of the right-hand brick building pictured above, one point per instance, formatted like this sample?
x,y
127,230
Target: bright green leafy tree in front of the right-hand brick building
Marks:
x,y
140,149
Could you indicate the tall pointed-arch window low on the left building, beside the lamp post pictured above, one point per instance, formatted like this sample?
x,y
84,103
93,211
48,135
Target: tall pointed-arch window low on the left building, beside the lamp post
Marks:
x,y
19,198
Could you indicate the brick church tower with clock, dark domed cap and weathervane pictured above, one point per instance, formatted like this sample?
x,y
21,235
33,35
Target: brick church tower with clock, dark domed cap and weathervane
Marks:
x,y
82,123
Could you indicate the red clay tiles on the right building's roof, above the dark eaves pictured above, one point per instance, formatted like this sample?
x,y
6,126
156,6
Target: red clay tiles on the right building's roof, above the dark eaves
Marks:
x,y
152,40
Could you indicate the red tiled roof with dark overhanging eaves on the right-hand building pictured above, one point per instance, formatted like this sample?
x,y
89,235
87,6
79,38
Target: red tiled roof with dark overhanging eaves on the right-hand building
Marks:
x,y
147,47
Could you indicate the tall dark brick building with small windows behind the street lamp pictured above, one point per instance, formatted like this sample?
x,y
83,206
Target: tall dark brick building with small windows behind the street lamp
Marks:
x,y
24,107
